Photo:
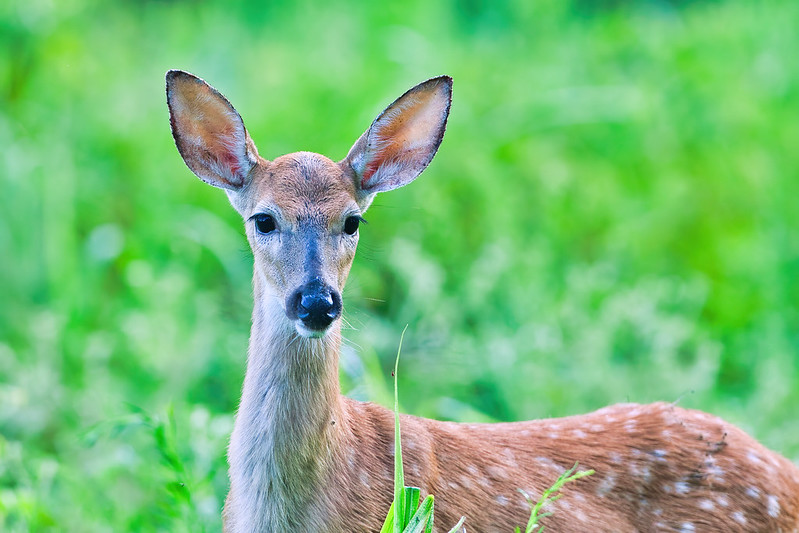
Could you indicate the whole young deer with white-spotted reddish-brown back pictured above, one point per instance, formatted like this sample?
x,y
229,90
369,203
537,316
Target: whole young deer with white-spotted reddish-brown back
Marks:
x,y
303,458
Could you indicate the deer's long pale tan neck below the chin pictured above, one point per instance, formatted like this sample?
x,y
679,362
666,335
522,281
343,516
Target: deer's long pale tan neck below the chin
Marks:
x,y
288,424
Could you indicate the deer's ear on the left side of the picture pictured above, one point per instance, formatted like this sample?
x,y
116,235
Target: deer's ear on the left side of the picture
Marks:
x,y
209,132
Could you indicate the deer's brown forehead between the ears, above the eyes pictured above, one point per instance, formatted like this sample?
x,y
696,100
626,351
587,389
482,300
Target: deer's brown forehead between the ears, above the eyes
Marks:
x,y
303,184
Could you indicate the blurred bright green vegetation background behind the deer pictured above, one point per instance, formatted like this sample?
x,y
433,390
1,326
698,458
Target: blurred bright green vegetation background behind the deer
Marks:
x,y
612,217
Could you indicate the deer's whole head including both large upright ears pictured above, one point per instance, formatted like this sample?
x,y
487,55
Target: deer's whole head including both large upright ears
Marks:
x,y
302,210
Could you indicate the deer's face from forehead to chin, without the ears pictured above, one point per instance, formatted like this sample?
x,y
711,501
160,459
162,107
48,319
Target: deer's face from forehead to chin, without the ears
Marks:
x,y
302,218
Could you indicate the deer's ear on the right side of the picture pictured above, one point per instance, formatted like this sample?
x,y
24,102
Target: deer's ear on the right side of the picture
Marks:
x,y
403,139
